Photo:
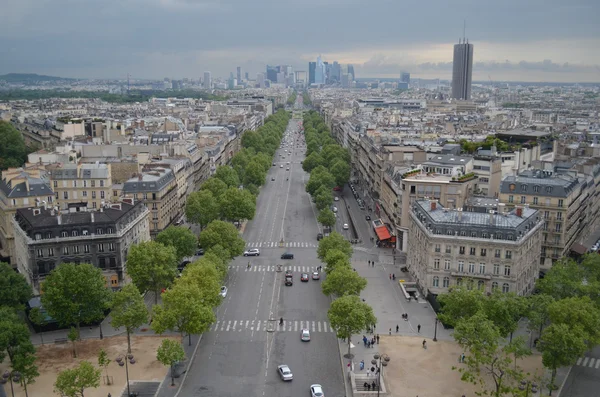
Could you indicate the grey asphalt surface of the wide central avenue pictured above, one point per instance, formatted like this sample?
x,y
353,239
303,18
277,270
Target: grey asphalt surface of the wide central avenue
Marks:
x,y
240,354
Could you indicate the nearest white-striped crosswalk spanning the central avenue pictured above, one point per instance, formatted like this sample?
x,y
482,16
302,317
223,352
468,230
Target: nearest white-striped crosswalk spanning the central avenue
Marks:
x,y
270,326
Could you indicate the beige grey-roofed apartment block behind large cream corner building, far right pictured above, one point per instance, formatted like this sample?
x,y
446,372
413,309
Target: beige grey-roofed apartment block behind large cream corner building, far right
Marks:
x,y
562,201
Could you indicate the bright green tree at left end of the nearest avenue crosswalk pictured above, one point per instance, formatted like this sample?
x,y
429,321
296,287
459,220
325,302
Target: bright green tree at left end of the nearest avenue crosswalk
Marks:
x,y
182,311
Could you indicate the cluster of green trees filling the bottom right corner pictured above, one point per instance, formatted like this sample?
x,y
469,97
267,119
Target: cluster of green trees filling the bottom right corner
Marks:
x,y
564,313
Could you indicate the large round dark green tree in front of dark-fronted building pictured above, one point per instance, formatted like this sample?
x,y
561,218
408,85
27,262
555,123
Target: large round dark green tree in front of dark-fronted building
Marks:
x,y
75,294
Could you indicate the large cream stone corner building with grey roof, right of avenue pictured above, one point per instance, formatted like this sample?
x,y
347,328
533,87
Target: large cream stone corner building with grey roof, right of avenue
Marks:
x,y
489,251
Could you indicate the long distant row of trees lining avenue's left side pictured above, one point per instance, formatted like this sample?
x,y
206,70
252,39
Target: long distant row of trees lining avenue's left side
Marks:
x,y
231,193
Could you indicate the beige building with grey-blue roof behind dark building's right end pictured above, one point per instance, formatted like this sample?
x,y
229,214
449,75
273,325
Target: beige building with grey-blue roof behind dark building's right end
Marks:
x,y
158,190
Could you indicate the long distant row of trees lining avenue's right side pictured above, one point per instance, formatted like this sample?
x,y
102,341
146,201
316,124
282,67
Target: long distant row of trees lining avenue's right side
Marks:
x,y
328,164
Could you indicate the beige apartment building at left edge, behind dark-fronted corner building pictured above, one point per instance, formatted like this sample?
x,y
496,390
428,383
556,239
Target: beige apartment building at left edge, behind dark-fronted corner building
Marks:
x,y
20,188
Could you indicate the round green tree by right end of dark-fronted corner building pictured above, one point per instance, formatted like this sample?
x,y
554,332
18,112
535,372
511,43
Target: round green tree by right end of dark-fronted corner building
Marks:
x,y
151,266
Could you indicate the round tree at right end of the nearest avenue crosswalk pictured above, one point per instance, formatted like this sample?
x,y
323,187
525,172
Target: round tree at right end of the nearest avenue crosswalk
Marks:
x,y
348,315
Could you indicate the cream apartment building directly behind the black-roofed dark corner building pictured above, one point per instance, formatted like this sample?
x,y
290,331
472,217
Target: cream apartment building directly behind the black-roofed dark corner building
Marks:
x,y
81,185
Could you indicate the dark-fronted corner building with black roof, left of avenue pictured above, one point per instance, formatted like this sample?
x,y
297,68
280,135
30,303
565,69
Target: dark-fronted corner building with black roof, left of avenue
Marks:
x,y
46,237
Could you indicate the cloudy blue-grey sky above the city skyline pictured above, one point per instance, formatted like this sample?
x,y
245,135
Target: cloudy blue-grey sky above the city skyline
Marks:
x,y
514,40
